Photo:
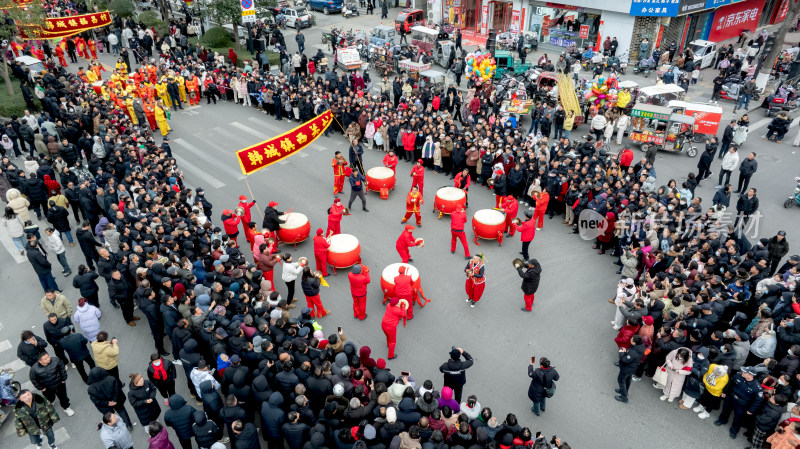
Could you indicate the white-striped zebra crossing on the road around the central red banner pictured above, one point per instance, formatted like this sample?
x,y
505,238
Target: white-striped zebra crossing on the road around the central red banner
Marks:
x,y
209,155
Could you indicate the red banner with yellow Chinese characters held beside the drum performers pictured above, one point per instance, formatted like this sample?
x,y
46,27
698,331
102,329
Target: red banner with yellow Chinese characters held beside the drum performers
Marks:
x,y
266,153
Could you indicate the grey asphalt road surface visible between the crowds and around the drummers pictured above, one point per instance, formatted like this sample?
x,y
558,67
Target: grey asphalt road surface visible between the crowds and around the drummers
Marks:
x,y
570,322
